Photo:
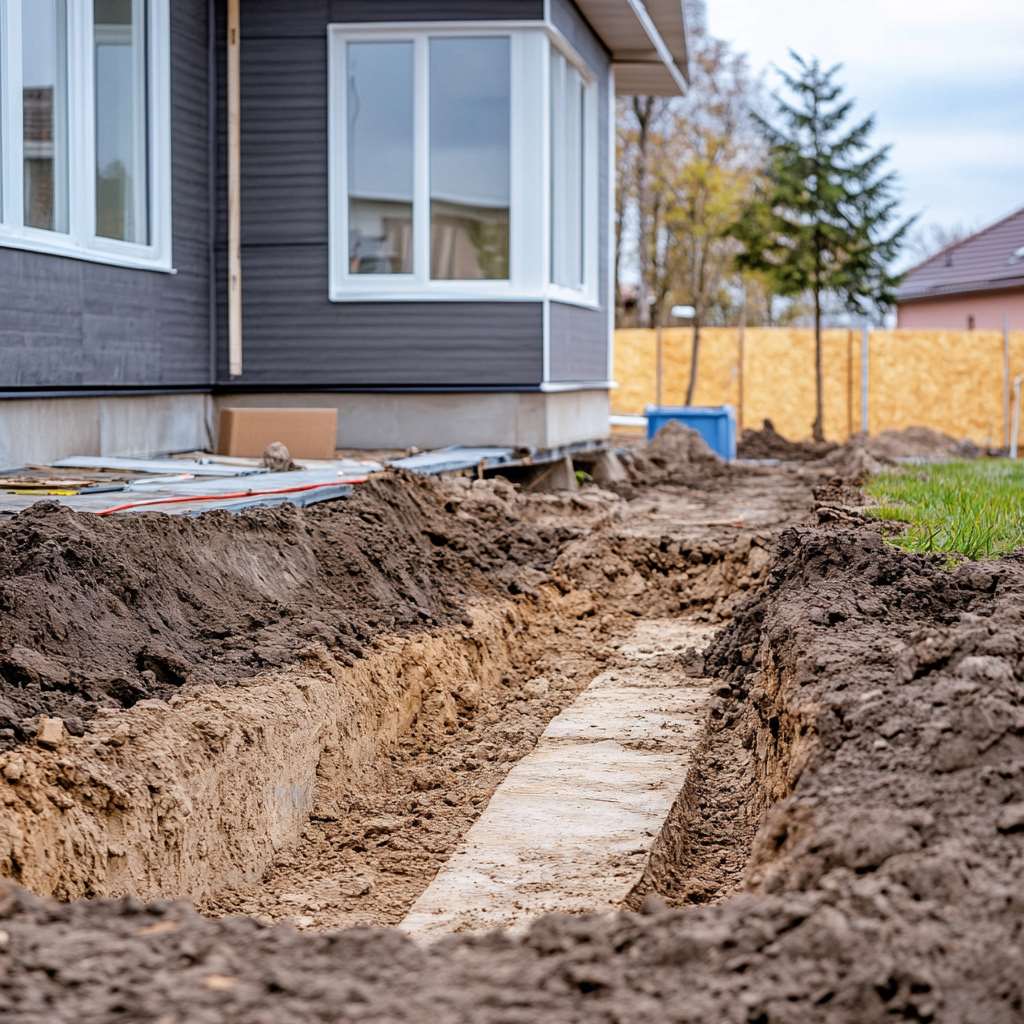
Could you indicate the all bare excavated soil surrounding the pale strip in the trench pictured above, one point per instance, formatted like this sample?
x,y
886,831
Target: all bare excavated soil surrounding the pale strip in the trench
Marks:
x,y
283,724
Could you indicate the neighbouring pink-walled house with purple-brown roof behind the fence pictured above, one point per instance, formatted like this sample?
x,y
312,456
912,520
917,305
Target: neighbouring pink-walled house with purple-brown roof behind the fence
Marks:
x,y
977,284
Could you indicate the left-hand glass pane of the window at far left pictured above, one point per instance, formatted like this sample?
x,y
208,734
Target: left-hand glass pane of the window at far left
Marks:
x,y
45,97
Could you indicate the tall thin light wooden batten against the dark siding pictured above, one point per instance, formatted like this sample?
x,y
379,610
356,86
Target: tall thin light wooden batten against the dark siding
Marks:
x,y
234,193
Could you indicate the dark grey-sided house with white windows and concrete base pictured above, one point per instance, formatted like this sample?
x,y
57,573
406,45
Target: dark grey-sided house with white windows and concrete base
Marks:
x,y
425,217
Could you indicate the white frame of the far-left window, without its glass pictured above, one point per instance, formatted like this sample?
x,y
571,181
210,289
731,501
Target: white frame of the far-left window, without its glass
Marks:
x,y
81,241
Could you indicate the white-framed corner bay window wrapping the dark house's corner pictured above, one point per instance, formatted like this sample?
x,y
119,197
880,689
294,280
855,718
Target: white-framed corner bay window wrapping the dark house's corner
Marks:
x,y
444,181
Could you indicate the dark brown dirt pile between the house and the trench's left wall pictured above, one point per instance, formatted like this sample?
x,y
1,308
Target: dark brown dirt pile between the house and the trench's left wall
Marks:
x,y
104,613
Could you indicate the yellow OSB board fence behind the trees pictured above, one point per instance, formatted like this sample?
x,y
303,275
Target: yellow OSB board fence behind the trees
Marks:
x,y
950,380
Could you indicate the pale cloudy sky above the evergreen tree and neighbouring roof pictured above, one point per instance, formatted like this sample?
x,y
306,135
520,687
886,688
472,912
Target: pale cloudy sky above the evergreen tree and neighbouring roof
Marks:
x,y
946,78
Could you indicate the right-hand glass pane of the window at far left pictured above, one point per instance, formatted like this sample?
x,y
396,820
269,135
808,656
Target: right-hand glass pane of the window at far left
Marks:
x,y
122,154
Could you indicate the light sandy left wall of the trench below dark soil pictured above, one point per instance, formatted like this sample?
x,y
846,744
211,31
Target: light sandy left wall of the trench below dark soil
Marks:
x,y
192,796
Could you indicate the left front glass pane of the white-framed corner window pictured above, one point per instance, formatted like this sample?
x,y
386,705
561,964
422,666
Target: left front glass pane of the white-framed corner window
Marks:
x,y
380,142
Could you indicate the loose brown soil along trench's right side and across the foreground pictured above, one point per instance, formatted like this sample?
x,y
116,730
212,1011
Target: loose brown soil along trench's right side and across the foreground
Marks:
x,y
882,700
